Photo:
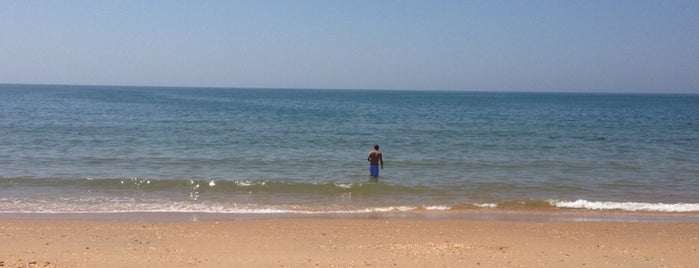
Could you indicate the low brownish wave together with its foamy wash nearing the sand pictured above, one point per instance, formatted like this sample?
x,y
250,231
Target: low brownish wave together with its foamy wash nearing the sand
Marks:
x,y
262,196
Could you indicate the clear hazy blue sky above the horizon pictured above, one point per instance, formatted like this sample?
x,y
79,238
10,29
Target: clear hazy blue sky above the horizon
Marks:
x,y
588,46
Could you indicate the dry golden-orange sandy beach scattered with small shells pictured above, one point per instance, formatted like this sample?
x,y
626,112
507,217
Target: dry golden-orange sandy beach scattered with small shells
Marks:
x,y
347,243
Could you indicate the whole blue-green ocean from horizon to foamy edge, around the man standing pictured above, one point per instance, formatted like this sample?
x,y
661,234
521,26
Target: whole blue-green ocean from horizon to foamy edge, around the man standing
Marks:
x,y
109,149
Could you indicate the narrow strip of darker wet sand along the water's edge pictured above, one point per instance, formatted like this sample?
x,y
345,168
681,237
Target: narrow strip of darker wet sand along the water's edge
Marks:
x,y
484,214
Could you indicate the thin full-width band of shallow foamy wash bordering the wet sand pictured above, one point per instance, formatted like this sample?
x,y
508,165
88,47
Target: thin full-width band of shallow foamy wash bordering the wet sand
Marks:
x,y
130,204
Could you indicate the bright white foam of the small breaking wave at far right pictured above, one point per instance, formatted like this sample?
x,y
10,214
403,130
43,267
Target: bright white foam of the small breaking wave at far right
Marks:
x,y
627,206
